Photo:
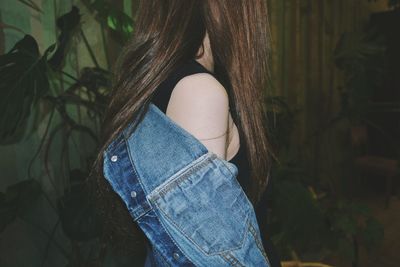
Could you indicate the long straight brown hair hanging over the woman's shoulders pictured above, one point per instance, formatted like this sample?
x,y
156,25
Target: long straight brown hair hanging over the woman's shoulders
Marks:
x,y
167,33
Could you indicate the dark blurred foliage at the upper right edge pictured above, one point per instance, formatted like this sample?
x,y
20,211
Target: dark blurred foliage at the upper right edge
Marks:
x,y
361,56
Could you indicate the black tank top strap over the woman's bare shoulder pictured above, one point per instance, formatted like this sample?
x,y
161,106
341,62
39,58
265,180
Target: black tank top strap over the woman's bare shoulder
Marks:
x,y
163,92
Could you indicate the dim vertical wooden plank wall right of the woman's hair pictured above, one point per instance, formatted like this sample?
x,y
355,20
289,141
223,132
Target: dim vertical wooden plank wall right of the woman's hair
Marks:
x,y
304,36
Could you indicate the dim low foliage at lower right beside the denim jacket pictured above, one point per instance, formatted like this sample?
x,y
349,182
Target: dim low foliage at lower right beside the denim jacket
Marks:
x,y
306,217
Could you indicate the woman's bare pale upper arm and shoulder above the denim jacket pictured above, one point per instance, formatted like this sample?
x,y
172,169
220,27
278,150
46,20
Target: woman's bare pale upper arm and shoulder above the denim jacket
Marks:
x,y
199,103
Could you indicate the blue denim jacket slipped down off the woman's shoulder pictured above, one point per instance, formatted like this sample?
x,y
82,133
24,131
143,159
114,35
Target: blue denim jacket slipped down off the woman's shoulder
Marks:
x,y
185,198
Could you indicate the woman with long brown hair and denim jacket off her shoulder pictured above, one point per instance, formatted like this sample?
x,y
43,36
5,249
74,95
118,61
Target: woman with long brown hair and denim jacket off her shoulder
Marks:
x,y
219,52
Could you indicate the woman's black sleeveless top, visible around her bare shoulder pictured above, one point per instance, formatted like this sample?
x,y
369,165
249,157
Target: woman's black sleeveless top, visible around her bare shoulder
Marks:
x,y
161,98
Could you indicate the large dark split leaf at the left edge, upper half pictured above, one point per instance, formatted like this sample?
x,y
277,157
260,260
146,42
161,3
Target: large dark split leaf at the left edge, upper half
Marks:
x,y
23,80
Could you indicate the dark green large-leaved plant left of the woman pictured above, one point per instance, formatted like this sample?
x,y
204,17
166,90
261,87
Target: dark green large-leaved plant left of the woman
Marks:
x,y
37,86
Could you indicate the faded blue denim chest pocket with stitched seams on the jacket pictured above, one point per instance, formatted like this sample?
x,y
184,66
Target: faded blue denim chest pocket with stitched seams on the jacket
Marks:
x,y
205,202
